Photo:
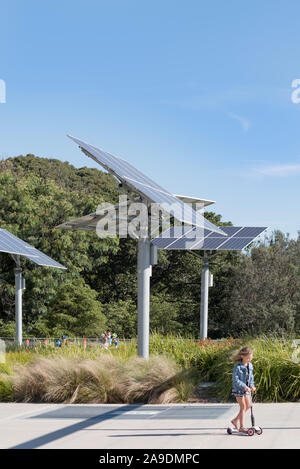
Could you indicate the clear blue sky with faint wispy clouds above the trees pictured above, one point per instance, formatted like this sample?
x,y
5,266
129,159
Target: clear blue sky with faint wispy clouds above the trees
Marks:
x,y
196,94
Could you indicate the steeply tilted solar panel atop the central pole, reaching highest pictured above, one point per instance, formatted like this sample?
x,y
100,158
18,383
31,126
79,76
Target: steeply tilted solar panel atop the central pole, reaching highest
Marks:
x,y
146,187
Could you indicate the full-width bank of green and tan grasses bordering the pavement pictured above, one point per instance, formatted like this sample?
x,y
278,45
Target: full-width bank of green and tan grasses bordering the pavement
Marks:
x,y
176,366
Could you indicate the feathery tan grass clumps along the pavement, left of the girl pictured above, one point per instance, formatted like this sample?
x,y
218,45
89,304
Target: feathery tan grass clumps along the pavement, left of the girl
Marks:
x,y
105,380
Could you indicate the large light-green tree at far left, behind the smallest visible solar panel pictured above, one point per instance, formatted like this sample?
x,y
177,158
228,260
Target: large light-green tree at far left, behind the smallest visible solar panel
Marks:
x,y
36,195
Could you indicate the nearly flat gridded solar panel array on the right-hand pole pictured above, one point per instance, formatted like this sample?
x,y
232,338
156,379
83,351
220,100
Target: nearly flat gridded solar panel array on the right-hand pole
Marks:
x,y
238,237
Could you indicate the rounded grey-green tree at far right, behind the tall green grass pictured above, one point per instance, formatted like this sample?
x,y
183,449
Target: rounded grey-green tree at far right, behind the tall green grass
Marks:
x,y
261,293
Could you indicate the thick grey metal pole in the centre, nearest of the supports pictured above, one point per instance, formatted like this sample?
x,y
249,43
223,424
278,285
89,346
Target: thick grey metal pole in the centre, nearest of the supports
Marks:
x,y
144,273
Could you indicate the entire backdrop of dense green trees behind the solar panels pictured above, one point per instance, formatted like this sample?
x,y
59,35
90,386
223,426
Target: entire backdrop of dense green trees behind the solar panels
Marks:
x,y
253,292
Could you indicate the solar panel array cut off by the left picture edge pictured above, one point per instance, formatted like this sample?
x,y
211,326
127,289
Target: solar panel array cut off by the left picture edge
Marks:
x,y
11,244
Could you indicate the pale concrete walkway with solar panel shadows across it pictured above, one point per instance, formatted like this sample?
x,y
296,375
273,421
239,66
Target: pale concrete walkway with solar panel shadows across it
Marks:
x,y
181,426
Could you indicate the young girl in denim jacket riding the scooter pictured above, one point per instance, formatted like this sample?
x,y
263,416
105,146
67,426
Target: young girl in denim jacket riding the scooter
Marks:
x,y
242,384
